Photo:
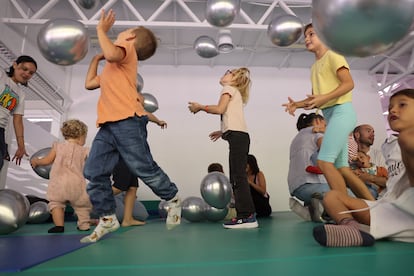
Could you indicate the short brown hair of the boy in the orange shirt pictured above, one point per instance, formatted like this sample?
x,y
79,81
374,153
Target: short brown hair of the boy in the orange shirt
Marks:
x,y
145,43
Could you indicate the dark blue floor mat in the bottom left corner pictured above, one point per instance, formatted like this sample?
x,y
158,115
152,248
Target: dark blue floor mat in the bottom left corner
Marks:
x,y
21,252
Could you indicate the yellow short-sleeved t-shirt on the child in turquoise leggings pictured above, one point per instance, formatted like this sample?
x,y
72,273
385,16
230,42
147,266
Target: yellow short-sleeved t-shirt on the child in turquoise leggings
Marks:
x,y
324,78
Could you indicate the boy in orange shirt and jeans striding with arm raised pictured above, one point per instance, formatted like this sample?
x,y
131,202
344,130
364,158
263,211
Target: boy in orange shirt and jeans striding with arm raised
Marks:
x,y
122,123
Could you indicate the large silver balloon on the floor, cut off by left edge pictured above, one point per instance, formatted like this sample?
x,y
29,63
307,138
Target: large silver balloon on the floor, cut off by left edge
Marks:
x,y
14,210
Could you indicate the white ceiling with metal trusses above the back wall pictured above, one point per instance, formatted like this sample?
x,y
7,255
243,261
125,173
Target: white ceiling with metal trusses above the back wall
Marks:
x,y
178,23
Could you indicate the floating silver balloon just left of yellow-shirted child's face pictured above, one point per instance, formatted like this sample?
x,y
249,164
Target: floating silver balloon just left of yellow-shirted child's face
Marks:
x,y
285,30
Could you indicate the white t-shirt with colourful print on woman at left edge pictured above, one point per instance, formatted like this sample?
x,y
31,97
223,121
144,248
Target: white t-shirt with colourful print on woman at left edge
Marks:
x,y
11,99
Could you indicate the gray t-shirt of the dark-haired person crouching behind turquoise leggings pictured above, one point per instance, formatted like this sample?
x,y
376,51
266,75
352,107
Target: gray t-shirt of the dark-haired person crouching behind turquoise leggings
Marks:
x,y
303,146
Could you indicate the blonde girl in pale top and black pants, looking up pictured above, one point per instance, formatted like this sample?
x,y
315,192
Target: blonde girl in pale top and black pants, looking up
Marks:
x,y
234,95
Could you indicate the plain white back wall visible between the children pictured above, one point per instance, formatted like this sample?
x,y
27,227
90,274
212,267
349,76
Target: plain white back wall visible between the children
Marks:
x,y
184,150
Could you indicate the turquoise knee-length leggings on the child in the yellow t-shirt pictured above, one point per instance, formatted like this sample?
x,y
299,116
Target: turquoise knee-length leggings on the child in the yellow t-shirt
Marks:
x,y
341,121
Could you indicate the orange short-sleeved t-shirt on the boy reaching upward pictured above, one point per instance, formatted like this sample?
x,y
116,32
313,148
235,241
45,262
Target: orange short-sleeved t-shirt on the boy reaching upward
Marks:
x,y
119,98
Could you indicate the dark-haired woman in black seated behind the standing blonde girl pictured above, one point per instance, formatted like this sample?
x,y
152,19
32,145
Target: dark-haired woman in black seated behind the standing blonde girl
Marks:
x,y
257,183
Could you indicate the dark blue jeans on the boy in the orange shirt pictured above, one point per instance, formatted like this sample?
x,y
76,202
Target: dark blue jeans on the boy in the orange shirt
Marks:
x,y
128,139
